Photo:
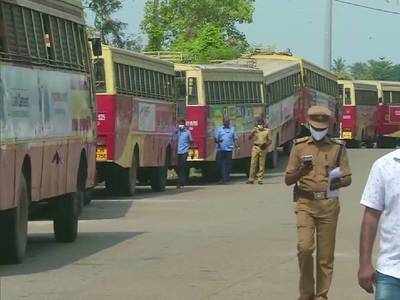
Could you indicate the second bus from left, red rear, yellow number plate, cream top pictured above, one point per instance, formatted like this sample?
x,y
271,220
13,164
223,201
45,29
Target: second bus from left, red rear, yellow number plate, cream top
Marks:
x,y
136,120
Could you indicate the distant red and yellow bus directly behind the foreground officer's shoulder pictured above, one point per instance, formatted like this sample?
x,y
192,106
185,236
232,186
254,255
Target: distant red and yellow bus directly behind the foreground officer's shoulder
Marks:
x,y
359,112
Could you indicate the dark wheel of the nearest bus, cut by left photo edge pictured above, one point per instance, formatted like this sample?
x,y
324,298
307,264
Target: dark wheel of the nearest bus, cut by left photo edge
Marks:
x,y
14,228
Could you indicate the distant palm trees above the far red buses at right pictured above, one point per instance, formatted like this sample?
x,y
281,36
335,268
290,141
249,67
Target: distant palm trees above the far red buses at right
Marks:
x,y
382,69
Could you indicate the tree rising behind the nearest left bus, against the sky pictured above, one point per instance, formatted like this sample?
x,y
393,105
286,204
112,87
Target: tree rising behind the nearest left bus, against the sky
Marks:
x,y
112,30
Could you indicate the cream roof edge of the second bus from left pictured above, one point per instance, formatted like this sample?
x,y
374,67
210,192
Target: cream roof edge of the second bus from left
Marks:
x,y
136,59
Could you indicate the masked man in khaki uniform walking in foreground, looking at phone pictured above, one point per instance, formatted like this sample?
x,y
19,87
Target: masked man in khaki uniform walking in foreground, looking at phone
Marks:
x,y
314,161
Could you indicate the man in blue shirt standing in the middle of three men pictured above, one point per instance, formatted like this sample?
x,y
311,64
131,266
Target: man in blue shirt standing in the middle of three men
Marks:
x,y
226,140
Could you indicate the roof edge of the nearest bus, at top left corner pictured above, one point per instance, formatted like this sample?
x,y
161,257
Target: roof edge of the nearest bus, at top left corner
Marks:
x,y
71,10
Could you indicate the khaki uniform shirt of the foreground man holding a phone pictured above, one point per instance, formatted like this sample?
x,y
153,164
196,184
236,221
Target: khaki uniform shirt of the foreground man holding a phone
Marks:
x,y
324,160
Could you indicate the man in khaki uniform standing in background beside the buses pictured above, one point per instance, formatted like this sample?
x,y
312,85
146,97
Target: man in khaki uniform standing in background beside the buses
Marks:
x,y
261,141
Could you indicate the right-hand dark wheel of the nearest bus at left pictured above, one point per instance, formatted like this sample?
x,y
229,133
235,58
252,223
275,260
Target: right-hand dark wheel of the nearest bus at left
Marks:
x,y
66,218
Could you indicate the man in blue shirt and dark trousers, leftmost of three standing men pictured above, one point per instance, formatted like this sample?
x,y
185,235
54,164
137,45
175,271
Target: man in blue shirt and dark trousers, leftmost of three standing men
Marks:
x,y
185,141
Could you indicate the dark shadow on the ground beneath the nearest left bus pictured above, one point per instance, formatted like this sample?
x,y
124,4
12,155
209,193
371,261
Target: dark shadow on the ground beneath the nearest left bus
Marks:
x,y
45,254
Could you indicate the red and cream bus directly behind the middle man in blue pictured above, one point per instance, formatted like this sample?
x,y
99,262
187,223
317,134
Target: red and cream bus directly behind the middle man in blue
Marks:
x,y
214,92
